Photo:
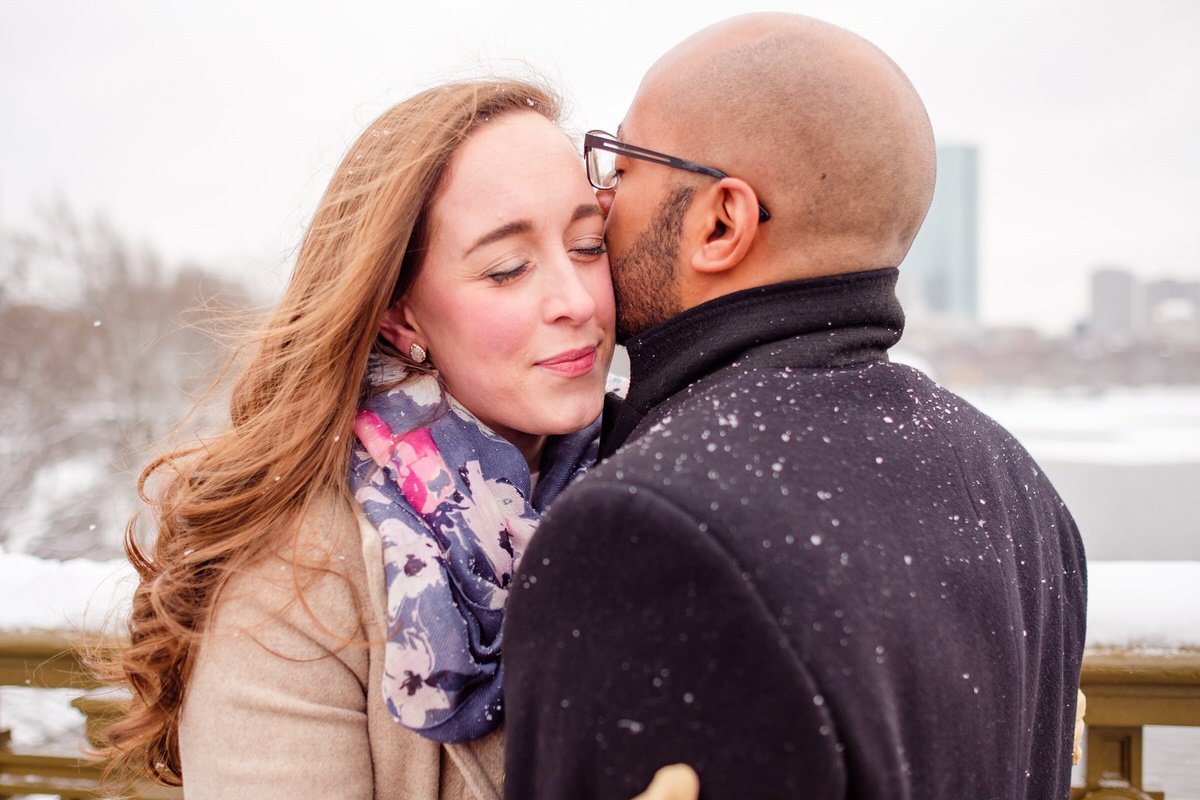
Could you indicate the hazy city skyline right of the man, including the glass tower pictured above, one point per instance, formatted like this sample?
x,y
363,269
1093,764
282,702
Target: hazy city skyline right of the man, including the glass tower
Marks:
x,y
1136,333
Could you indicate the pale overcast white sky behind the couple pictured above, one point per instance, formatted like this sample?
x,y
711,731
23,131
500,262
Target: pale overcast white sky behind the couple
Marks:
x,y
208,130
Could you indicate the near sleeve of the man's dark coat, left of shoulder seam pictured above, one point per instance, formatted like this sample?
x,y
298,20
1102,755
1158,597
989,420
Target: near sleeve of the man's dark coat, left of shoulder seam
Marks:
x,y
633,641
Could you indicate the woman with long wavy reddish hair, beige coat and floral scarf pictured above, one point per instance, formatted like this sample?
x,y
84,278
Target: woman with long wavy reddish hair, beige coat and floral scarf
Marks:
x,y
337,562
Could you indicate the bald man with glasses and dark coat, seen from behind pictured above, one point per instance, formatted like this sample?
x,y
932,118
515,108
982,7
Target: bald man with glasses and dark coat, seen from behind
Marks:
x,y
808,573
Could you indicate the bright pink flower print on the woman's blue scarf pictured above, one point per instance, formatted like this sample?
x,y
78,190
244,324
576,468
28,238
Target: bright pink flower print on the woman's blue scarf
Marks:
x,y
422,474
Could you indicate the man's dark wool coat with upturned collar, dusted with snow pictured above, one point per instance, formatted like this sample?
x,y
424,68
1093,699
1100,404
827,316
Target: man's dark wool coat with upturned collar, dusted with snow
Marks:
x,y
809,574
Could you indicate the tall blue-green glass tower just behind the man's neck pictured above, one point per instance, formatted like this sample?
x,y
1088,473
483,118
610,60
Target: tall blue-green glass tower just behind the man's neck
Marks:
x,y
939,280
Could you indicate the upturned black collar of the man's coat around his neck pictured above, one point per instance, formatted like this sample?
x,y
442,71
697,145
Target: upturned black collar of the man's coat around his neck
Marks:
x,y
826,322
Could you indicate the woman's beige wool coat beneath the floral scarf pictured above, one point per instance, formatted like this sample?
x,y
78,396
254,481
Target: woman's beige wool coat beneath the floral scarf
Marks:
x,y
286,696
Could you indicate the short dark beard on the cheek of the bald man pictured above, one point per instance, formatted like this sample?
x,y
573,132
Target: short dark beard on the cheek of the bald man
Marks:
x,y
645,275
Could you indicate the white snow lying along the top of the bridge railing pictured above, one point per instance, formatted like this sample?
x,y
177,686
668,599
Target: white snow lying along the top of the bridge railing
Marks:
x,y
1131,604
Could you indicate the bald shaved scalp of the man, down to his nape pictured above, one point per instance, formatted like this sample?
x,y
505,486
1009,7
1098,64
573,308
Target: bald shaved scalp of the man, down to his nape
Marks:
x,y
821,123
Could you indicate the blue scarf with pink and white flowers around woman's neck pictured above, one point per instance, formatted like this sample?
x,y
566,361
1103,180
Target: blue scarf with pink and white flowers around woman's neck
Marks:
x,y
452,502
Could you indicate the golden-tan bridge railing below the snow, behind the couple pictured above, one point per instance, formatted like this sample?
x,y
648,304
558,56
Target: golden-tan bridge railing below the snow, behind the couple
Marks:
x,y
1126,690
